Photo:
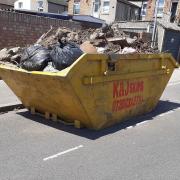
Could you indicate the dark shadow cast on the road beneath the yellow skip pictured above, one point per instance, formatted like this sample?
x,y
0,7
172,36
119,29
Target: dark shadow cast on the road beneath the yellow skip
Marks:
x,y
162,107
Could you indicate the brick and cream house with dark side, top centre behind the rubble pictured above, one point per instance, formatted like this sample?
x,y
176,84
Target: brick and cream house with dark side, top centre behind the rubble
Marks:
x,y
108,10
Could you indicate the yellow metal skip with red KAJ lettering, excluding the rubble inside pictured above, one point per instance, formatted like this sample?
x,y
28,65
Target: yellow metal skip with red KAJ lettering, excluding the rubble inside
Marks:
x,y
96,91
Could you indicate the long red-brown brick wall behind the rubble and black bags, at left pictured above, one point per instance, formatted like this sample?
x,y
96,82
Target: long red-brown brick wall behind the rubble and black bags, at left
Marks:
x,y
18,29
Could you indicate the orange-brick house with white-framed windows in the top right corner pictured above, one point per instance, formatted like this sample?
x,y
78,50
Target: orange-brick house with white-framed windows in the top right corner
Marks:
x,y
168,7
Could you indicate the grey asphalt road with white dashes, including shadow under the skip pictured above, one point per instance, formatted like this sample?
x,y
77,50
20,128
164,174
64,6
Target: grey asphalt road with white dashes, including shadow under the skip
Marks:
x,y
144,148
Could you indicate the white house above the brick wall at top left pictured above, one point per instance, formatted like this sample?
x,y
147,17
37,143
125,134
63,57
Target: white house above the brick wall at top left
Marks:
x,y
52,6
